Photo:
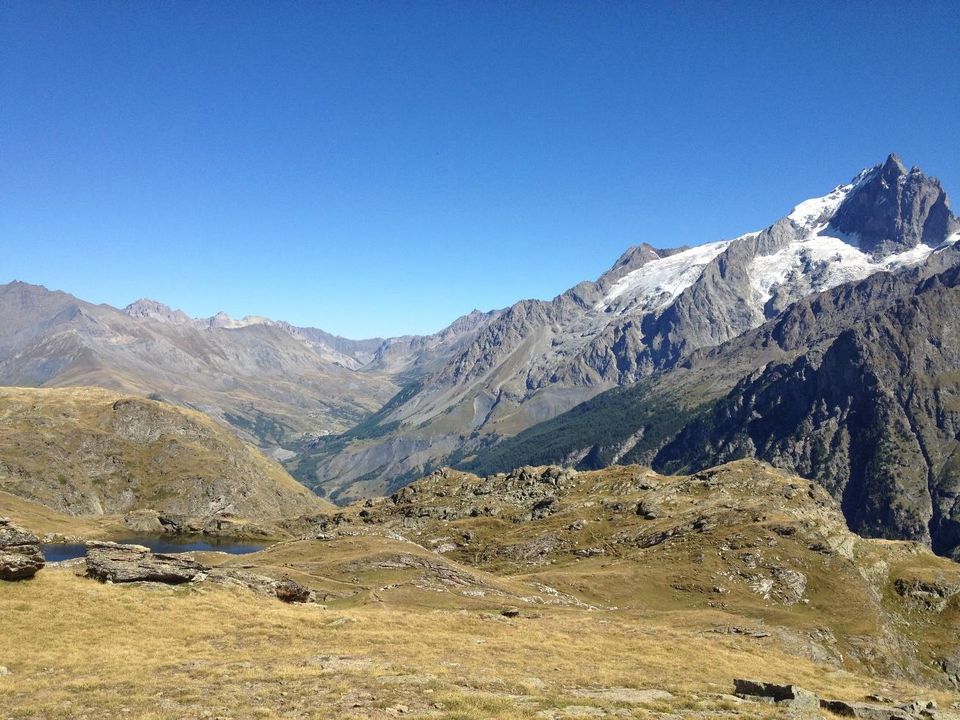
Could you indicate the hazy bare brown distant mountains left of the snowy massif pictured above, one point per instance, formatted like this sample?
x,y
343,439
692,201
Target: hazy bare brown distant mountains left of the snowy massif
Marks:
x,y
273,383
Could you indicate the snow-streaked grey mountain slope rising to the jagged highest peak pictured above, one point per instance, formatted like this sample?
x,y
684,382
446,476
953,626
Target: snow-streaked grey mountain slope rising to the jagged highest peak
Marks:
x,y
653,309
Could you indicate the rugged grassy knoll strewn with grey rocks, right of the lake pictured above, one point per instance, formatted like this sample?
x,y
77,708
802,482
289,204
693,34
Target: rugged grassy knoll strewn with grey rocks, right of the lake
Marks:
x,y
742,539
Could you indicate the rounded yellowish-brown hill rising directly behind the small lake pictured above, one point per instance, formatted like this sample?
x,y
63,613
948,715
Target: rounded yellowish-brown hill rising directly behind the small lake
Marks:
x,y
88,452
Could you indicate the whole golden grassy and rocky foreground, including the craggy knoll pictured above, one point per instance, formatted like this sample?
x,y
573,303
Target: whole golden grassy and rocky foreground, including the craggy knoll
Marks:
x,y
542,593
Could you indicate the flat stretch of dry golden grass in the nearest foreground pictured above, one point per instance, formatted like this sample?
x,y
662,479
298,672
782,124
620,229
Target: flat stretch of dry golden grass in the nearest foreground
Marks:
x,y
79,649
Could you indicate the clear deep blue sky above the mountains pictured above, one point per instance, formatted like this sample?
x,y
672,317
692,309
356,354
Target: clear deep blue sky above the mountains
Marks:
x,y
381,168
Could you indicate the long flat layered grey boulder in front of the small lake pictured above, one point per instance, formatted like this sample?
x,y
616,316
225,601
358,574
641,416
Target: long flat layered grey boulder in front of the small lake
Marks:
x,y
113,562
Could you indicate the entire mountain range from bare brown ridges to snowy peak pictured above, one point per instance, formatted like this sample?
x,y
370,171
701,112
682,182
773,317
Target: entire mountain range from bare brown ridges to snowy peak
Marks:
x,y
823,343
